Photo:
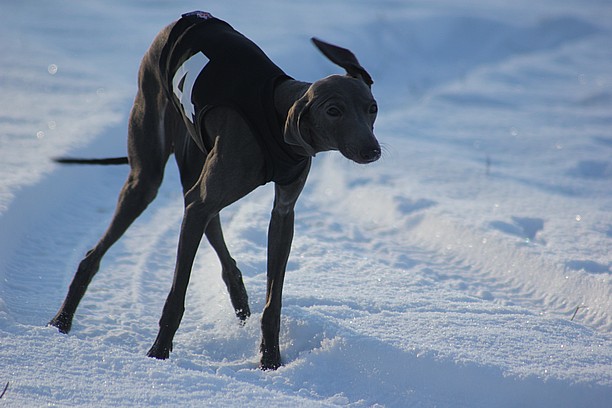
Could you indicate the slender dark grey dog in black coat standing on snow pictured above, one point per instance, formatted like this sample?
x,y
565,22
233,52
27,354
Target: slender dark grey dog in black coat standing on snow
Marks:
x,y
234,121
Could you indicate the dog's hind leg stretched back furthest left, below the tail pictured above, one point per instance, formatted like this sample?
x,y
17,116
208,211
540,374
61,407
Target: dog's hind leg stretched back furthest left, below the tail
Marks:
x,y
148,153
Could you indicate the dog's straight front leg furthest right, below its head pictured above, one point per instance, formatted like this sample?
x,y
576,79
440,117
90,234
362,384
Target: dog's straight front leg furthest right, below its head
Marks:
x,y
280,236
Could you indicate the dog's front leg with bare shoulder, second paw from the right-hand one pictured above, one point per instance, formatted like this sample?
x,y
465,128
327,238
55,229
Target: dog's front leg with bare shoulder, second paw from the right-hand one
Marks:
x,y
231,171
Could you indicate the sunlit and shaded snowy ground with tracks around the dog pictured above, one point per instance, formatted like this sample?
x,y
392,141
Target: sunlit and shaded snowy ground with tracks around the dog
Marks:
x,y
470,267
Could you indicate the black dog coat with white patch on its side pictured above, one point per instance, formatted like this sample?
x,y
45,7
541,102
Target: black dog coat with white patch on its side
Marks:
x,y
206,63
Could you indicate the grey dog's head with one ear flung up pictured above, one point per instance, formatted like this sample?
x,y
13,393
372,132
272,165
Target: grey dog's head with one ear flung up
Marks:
x,y
337,112
